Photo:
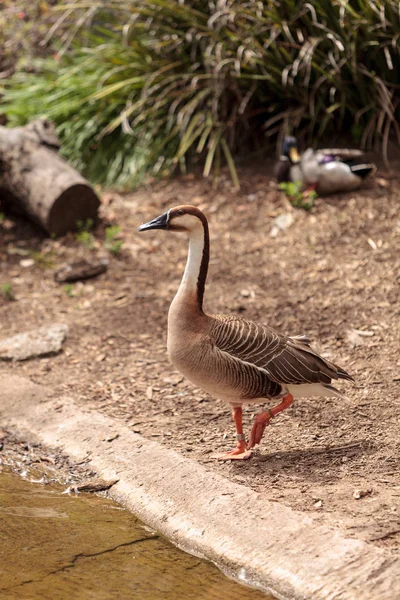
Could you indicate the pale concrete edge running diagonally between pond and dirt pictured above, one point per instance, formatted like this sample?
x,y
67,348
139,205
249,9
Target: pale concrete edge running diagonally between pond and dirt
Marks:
x,y
258,542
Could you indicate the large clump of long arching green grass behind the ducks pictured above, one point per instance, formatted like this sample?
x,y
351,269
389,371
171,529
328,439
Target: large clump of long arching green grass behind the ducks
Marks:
x,y
148,87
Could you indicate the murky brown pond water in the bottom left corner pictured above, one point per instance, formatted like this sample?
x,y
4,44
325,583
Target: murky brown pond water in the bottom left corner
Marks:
x,y
55,546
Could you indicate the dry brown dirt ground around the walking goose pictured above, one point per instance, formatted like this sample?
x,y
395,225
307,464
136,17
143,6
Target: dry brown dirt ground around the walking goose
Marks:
x,y
335,270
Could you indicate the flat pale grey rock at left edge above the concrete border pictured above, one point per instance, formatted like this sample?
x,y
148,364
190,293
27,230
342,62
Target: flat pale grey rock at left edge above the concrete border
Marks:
x,y
38,342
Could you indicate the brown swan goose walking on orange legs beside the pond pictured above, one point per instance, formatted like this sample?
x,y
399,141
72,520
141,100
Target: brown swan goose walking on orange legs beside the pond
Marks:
x,y
231,358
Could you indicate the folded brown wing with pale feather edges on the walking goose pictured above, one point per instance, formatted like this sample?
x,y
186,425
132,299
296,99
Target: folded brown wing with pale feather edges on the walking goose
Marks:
x,y
286,360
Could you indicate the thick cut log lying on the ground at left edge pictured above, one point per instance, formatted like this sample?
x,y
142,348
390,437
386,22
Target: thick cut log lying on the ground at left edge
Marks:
x,y
35,180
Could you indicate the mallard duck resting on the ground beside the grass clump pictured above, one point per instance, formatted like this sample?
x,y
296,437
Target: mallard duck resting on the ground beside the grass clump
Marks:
x,y
326,171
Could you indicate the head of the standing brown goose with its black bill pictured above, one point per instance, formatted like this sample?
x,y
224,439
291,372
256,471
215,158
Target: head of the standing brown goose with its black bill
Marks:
x,y
184,218
